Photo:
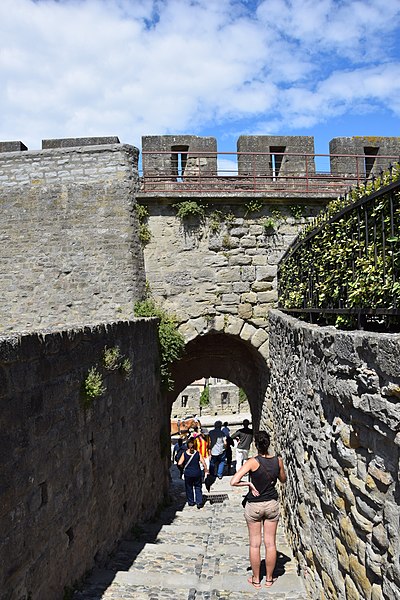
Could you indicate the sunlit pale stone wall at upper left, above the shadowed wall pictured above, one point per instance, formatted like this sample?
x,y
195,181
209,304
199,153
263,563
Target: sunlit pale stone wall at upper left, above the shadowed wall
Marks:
x,y
68,248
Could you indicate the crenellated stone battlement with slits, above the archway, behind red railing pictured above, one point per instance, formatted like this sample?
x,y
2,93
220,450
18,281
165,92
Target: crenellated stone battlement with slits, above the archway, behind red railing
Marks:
x,y
262,164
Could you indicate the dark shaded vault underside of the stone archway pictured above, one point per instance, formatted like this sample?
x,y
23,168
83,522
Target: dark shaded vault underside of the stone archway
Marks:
x,y
227,357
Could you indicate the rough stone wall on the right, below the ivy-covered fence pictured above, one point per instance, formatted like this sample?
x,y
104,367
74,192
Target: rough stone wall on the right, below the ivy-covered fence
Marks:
x,y
335,413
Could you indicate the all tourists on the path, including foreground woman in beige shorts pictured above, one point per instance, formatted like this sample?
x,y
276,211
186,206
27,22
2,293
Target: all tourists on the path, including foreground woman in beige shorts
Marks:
x,y
203,457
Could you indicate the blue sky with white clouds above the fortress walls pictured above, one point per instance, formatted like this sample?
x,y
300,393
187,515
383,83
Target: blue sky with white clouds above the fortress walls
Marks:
x,y
74,68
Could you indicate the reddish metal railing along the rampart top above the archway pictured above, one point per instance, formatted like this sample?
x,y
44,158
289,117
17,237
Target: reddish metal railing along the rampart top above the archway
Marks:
x,y
328,175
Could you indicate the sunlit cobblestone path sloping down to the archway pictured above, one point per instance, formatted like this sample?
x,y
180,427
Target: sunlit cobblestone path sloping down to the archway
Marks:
x,y
192,554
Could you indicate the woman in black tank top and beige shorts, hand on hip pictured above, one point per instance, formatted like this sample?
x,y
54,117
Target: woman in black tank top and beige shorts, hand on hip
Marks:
x,y
261,507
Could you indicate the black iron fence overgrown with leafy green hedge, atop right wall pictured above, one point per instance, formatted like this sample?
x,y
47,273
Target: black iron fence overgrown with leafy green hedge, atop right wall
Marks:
x,y
349,263
